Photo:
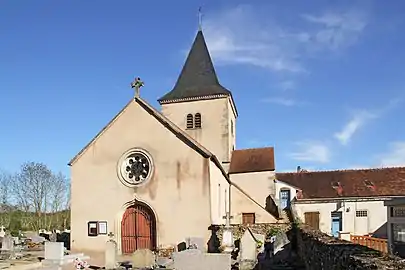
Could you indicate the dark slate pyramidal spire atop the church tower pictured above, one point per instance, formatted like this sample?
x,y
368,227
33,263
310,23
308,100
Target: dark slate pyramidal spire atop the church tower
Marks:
x,y
197,78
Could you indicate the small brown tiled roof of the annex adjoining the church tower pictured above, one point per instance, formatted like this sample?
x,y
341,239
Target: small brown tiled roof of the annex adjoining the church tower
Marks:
x,y
252,160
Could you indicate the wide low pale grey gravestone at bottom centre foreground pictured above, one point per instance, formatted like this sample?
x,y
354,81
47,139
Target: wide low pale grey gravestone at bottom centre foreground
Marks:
x,y
194,259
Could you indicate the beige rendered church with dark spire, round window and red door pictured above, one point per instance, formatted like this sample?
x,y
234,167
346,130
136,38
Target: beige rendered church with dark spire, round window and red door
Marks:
x,y
156,184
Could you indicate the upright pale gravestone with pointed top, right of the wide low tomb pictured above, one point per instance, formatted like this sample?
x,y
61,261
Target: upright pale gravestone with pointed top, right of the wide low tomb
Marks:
x,y
248,250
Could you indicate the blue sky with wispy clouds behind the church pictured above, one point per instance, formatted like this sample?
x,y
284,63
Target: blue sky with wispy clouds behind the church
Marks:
x,y
322,81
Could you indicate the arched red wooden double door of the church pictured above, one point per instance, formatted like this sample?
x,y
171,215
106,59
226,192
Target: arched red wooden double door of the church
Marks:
x,y
138,228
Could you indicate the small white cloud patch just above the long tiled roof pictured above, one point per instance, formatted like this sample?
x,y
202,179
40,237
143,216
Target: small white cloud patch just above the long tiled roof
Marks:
x,y
311,151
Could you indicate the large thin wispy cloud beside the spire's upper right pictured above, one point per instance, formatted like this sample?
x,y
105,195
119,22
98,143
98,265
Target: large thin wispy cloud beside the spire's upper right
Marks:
x,y
242,36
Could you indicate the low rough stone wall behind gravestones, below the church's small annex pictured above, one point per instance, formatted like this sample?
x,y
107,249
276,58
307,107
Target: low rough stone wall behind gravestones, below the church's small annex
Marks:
x,y
260,228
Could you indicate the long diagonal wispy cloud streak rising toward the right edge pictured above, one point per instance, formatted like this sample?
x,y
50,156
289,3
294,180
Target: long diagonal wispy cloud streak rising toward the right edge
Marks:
x,y
359,119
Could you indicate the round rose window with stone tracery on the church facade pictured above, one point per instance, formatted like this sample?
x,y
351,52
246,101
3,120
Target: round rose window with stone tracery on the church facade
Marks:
x,y
135,167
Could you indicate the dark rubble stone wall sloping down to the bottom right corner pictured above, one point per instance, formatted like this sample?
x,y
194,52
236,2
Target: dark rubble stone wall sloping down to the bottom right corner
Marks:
x,y
321,251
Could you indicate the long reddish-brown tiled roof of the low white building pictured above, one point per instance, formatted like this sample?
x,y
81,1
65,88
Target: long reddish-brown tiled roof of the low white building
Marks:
x,y
347,183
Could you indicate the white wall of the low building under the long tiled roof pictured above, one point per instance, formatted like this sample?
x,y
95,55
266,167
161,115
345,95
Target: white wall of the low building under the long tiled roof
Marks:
x,y
377,215
